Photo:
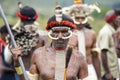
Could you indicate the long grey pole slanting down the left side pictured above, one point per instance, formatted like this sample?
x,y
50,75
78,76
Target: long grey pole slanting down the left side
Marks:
x,y
13,41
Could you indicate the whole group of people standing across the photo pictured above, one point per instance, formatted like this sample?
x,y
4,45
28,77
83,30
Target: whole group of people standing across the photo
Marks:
x,y
74,53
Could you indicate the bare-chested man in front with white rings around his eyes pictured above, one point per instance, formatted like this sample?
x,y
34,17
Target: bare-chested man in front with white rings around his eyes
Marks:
x,y
57,61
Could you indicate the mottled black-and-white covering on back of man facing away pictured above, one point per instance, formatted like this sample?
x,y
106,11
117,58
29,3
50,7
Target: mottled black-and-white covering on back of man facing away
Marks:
x,y
25,38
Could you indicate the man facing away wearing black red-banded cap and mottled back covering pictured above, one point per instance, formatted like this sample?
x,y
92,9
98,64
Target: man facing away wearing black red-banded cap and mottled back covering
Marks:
x,y
26,35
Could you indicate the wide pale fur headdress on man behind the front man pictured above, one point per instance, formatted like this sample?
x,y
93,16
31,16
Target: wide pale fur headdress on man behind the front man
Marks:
x,y
81,10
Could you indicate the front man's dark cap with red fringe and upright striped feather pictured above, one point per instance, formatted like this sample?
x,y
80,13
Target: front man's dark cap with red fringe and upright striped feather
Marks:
x,y
60,19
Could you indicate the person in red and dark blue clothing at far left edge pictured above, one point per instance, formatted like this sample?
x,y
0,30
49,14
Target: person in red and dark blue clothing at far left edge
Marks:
x,y
6,70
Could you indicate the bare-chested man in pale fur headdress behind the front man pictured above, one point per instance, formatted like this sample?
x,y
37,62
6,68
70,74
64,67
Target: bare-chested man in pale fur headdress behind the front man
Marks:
x,y
84,39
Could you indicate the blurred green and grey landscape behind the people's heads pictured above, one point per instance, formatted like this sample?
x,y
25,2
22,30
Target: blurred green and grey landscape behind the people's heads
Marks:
x,y
45,9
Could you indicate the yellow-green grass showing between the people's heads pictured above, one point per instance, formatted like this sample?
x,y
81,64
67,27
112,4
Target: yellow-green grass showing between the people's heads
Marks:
x,y
97,24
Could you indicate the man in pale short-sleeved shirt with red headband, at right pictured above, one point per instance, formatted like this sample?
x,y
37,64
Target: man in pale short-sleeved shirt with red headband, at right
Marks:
x,y
109,61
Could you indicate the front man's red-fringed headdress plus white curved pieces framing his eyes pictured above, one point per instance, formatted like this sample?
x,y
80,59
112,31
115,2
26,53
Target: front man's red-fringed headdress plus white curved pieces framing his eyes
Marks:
x,y
60,20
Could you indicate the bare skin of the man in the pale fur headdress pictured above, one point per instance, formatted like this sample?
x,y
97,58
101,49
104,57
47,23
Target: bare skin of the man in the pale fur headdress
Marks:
x,y
90,40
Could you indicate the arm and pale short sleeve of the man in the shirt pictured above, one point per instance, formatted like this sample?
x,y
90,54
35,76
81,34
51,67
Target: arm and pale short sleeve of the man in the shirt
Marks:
x,y
104,46
